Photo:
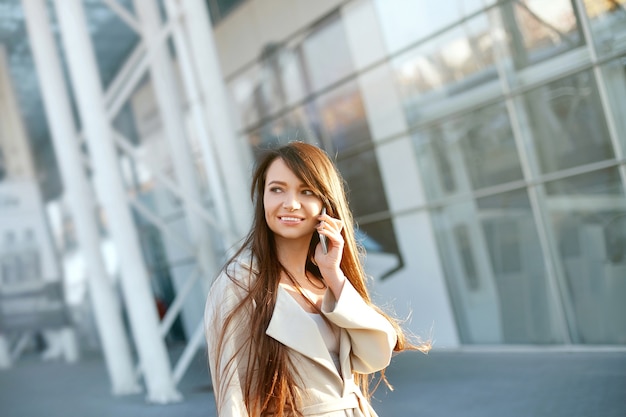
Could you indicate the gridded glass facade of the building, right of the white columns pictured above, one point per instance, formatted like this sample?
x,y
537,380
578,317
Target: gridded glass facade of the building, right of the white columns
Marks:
x,y
515,114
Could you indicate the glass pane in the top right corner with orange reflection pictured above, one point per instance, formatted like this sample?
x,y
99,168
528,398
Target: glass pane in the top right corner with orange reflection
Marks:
x,y
607,19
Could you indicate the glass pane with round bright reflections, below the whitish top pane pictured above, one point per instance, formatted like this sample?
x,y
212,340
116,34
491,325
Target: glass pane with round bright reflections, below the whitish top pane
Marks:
x,y
454,62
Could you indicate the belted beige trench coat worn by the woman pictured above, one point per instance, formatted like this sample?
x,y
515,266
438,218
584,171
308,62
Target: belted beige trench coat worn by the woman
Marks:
x,y
366,344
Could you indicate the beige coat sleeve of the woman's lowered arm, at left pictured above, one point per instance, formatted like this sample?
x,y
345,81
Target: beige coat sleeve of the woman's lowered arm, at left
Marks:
x,y
225,364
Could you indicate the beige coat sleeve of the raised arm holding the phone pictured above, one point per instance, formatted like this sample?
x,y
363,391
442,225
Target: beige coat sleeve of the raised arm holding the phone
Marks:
x,y
372,335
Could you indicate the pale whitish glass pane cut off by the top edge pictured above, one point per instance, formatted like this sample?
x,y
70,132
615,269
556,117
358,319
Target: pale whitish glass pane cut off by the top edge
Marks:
x,y
406,22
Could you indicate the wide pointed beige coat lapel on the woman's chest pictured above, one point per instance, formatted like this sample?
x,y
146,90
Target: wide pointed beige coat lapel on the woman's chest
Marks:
x,y
293,327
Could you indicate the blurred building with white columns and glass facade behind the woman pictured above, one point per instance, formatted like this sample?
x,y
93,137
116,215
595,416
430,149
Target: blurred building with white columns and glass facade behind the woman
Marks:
x,y
483,143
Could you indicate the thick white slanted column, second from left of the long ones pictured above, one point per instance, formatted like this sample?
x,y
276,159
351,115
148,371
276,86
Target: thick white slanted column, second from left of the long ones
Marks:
x,y
138,296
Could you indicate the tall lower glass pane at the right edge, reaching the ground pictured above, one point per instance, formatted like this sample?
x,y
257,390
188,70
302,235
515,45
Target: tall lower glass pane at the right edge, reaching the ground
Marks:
x,y
588,215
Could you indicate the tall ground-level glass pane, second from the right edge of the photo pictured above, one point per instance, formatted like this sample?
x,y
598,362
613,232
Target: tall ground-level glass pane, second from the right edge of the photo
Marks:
x,y
527,312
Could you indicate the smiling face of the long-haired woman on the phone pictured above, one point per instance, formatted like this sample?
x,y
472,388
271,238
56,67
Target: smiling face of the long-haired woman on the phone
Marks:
x,y
291,208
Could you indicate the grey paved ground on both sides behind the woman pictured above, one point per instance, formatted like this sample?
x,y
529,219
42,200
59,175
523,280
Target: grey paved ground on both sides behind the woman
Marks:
x,y
524,383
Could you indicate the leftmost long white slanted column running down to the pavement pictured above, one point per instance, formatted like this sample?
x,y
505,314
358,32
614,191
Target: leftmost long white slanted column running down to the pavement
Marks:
x,y
115,346
